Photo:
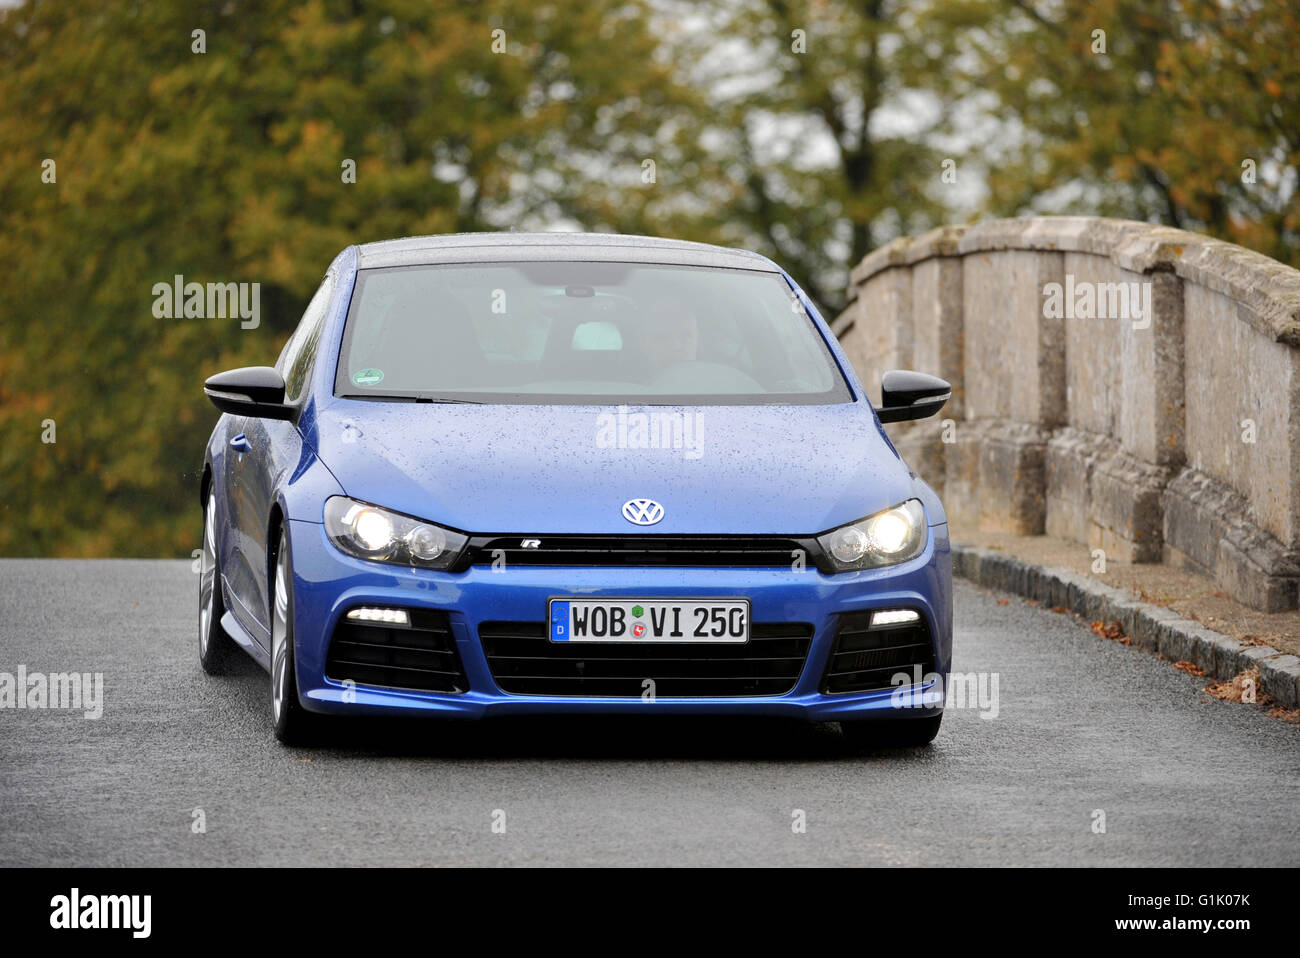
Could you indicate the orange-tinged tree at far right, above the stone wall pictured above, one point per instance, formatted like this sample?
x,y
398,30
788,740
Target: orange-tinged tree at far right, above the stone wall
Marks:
x,y
1185,112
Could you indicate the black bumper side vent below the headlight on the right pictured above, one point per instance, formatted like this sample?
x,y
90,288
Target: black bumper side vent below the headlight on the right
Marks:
x,y
865,660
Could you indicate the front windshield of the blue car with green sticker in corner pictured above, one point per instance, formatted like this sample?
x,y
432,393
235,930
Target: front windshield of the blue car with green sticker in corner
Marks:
x,y
583,333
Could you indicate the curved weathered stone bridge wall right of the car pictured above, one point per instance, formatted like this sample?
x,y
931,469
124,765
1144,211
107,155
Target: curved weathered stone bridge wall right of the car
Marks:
x,y
1132,388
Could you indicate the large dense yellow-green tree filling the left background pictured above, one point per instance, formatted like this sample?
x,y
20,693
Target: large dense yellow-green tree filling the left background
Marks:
x,y
228,166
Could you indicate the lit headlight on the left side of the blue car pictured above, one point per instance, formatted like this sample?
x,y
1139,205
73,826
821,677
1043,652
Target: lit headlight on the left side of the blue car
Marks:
x,y
370,532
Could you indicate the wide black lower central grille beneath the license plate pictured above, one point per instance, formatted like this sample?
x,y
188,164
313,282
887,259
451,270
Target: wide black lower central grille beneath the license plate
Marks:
x,y
525,662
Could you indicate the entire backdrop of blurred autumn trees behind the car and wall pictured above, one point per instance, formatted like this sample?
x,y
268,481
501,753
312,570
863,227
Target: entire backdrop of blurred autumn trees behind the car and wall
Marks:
x,y
135,149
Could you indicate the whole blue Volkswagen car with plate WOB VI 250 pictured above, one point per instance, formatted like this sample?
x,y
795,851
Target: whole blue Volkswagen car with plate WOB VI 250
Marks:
x,y
541,474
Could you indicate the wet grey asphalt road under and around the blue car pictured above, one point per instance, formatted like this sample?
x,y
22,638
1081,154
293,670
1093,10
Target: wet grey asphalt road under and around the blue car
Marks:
x,y
1084,725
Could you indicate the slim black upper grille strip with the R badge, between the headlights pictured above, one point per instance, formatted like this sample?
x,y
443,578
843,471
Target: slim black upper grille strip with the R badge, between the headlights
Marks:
x,y
644,552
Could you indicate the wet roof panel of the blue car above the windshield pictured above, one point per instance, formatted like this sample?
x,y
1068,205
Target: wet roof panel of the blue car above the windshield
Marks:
x,y
515,248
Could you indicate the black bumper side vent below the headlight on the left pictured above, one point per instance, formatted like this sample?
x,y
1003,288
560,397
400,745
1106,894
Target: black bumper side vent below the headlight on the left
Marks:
x,y
422,656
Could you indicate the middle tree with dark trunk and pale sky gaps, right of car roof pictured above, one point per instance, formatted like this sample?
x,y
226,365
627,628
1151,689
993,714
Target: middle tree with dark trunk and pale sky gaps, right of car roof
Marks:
x,y
830,122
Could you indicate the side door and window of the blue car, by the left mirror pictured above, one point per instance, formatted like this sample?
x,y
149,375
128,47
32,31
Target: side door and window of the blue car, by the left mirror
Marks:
x,y
274,449
